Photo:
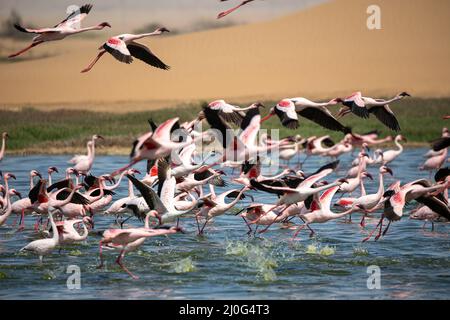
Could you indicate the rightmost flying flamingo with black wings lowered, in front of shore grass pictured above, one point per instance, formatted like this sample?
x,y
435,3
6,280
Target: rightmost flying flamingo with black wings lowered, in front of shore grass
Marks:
x,y
363,106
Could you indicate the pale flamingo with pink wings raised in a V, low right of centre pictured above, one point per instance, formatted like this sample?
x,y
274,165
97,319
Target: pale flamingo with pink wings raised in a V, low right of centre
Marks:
x,y
321,212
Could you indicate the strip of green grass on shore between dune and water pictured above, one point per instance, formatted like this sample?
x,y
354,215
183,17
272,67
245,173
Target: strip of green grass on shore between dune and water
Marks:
x,y
66,131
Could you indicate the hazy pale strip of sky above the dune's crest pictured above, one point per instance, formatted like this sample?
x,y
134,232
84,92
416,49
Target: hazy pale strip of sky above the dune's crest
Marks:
x,y
129,14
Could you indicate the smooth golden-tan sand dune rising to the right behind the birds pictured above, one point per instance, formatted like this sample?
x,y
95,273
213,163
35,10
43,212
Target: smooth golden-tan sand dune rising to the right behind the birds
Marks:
x,y
323,51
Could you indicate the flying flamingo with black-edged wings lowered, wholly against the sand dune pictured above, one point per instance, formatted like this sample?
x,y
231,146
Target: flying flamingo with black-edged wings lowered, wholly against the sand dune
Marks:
x,y
123,47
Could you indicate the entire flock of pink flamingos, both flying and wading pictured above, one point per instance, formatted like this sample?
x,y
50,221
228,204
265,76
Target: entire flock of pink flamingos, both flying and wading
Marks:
x,y
180,182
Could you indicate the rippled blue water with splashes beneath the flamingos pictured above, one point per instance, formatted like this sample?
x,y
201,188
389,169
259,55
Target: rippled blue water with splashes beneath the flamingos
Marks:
x,y
225,263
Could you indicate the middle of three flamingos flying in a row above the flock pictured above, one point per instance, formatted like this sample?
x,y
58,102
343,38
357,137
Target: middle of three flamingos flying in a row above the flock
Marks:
x,y
288,112
